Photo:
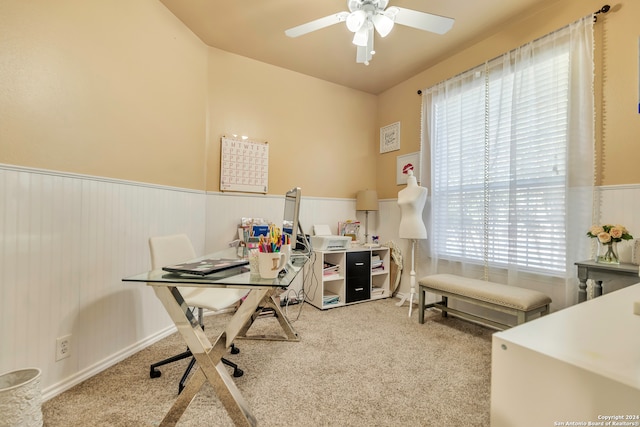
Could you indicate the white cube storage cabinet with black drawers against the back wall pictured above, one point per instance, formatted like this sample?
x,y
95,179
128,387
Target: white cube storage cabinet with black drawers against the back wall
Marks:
x,y
337,278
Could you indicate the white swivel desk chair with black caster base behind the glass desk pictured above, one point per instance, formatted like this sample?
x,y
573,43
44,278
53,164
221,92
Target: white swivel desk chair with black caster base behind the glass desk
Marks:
x,y
173,249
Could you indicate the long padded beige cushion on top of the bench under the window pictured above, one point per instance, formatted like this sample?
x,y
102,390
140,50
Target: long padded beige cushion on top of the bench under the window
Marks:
x,y
495,293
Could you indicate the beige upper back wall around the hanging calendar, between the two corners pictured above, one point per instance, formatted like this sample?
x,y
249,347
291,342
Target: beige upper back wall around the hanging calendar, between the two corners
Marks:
x,y
321,136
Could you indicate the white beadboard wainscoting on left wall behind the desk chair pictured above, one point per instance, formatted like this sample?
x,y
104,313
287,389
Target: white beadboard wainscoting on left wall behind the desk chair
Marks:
x,y
67,241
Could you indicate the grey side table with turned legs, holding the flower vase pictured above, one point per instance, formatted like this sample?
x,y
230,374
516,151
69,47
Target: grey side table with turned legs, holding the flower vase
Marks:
x,y
599,272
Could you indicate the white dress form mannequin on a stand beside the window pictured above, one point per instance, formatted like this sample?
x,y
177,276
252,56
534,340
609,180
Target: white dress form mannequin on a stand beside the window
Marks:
x,y
411,201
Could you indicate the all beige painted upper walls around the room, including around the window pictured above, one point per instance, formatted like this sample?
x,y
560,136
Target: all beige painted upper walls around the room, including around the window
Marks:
x,y
122,89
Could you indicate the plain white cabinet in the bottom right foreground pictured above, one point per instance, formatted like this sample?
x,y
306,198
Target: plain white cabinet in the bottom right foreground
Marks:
x,y
577,365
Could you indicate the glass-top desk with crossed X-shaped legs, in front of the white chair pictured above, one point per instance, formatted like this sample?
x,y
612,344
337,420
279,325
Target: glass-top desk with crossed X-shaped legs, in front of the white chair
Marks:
x,y
262,293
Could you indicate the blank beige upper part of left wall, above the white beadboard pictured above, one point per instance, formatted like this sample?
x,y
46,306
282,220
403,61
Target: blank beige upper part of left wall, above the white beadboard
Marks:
x,y
107,88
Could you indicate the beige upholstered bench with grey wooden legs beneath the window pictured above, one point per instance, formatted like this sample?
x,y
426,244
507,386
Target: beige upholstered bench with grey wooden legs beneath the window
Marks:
x,y
520,302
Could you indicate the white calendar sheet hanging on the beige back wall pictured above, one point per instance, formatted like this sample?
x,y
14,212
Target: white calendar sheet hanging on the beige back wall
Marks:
x,y
244,165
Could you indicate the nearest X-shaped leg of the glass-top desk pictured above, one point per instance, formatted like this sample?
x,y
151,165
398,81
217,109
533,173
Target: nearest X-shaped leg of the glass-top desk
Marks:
x,y
210,366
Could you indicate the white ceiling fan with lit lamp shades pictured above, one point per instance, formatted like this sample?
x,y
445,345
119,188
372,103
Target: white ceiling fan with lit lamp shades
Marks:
x,y
366,15
